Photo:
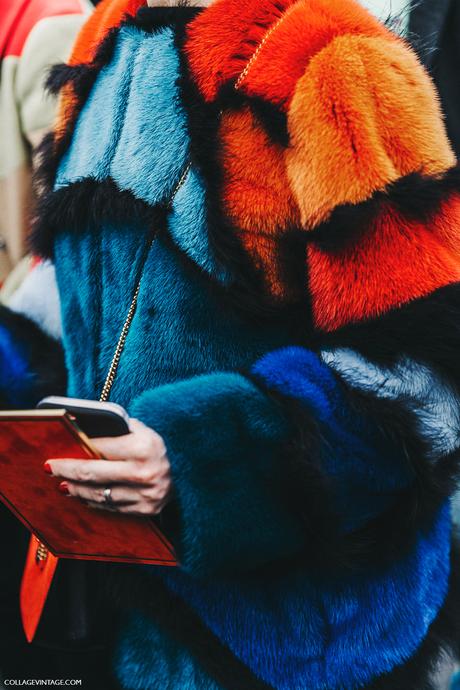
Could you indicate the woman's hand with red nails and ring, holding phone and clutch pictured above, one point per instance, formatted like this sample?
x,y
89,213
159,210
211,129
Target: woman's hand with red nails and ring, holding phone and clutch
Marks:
x,y
135,469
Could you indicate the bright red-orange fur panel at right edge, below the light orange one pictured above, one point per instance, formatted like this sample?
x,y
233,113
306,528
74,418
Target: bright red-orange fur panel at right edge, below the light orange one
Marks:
x,y
395,262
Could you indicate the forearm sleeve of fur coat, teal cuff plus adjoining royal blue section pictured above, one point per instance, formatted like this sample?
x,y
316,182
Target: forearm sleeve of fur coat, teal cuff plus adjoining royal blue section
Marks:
x,y
268,464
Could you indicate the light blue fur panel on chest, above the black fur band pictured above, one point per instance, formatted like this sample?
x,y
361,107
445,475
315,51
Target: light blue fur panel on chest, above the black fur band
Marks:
x,y
131,128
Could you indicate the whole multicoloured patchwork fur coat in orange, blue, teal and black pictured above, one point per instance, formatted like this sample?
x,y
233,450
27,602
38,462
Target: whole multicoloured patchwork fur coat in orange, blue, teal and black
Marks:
x,y
296,338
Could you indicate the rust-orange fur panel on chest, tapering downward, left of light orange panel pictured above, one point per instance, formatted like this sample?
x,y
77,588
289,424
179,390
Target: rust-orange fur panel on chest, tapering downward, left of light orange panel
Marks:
x,y
256,194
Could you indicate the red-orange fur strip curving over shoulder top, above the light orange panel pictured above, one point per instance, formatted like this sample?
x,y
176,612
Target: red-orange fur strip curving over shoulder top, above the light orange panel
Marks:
x,y
305,29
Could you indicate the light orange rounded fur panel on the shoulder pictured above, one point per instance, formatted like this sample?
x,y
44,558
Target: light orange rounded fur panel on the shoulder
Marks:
x,y
364,114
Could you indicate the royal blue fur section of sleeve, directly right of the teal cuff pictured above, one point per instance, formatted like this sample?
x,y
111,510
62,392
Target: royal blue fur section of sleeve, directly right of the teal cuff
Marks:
x,y
363,464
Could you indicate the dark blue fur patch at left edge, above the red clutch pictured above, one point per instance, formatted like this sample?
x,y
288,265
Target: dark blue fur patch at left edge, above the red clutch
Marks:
x,y
31,362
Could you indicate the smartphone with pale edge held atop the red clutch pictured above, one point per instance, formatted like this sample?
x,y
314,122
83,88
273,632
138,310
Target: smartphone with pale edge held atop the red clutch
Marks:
x,y
93,417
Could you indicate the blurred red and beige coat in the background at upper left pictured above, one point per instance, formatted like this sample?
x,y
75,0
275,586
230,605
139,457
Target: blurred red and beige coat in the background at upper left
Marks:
x,y
36,34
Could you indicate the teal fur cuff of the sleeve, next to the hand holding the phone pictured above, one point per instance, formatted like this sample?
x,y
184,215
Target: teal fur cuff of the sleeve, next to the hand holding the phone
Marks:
x,y
223,438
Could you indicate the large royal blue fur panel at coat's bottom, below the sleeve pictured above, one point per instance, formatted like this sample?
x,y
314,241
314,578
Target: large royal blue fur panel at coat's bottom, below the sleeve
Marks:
x,y
245,614
